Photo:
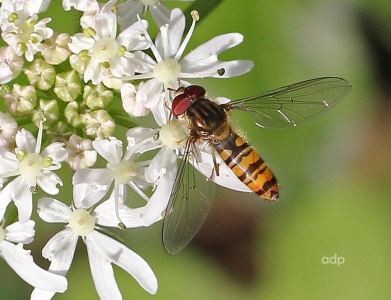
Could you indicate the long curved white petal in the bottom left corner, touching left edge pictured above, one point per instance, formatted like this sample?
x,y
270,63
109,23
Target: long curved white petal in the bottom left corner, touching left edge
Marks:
x,y
22,263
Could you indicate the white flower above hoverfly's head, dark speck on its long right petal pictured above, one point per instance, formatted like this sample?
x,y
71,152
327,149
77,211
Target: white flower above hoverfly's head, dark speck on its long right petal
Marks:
x,y
169,66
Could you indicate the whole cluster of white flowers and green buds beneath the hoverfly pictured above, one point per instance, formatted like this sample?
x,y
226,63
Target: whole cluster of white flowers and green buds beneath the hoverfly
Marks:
x,y
65,99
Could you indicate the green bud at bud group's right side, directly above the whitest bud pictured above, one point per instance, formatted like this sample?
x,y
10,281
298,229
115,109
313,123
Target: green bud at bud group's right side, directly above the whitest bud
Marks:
x,y
97,97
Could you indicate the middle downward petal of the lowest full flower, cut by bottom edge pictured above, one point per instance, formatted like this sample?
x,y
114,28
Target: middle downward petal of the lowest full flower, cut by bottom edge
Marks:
x,y
101,269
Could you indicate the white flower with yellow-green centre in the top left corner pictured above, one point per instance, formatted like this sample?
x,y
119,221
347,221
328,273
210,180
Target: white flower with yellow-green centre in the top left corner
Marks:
x,y
21,28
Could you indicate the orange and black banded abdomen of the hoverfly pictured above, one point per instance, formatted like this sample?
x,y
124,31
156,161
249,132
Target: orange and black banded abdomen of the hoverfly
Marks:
x,y
248,166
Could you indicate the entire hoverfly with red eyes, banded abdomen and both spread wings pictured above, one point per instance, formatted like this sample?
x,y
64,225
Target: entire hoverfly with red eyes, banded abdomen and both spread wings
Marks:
x,y
207,122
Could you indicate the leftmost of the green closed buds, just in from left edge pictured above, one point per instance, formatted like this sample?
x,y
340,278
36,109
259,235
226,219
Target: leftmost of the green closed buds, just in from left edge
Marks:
x,y
22,100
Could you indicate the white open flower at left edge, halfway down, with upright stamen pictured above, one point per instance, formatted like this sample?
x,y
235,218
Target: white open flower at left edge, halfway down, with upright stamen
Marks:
x,y
33,168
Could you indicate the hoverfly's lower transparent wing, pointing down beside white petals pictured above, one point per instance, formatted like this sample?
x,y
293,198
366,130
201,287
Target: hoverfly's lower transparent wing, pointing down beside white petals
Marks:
x,y
189,204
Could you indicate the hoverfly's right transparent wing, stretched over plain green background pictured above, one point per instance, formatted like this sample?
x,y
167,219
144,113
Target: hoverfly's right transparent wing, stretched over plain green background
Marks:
x,y
293,104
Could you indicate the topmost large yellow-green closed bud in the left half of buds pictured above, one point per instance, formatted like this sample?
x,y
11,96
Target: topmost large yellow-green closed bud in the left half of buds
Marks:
x,y
40,74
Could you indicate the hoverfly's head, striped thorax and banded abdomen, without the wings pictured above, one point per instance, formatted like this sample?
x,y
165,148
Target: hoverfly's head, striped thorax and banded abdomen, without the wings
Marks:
x,y
208,120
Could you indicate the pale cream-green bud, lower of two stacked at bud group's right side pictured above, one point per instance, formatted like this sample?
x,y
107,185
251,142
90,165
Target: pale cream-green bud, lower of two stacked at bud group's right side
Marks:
x,y
99,124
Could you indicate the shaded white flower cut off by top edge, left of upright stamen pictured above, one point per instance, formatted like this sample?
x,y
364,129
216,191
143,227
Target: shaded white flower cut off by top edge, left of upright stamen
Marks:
x,y
129,10
